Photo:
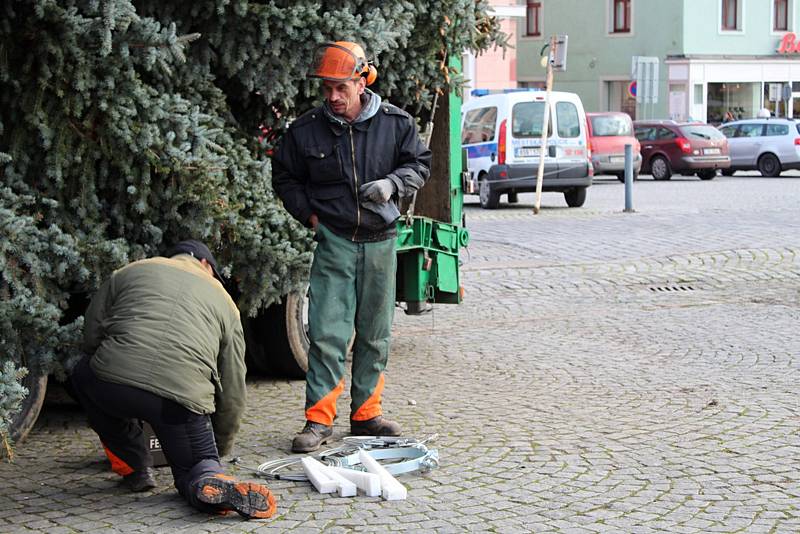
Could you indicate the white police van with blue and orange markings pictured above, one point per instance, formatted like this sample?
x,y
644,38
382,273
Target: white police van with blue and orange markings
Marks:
x,y
502,133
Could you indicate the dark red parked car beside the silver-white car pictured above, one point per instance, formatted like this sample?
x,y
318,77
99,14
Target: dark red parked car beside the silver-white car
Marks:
x,y
686,148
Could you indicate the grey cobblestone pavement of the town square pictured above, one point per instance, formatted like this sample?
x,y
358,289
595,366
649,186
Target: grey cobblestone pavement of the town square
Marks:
x,y
607,372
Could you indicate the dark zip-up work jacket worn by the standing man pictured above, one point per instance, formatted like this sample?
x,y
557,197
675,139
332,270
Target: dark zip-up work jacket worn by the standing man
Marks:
x,y
321,163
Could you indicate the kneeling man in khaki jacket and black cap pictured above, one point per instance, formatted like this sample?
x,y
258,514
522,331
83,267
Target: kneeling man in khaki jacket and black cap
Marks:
x,y
165,345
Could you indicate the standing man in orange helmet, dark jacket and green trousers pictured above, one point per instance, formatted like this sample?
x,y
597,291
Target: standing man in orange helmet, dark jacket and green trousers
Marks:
x,y
341,169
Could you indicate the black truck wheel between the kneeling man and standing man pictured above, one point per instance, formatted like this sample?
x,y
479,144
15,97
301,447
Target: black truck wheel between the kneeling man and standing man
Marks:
x,y
277,338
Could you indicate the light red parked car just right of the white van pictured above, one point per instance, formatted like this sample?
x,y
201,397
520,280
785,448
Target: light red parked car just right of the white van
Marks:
x,y
609,132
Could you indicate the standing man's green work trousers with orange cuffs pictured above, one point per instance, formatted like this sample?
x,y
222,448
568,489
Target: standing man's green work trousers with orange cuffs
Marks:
x,y
352,289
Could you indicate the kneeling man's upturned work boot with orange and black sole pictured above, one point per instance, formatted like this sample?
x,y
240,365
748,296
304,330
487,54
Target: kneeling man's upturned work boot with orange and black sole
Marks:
x,y
223,492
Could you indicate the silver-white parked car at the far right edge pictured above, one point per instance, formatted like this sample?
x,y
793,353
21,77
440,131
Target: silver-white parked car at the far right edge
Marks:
x,y
769,145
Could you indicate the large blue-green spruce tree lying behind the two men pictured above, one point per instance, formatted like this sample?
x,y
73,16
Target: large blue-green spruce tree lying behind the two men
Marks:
x,y
126,126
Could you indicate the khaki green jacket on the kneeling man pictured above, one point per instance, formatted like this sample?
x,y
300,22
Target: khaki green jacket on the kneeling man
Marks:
x,y
166,326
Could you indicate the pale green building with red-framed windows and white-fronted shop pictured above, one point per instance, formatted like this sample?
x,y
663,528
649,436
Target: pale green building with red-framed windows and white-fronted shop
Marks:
x,y
718,59
